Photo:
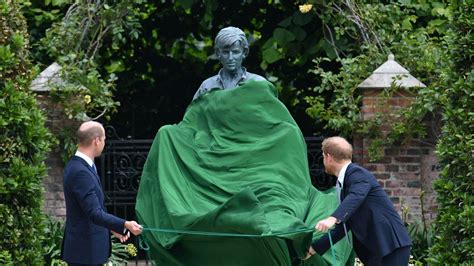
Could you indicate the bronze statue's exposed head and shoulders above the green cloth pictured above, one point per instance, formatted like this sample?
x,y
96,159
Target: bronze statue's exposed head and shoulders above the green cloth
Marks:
x,y
231,47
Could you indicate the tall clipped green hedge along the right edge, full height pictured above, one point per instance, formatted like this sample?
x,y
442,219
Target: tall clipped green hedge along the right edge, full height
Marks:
x,y
454,226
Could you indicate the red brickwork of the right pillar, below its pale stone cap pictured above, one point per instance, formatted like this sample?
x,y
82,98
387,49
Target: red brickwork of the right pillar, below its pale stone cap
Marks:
x,y
405,171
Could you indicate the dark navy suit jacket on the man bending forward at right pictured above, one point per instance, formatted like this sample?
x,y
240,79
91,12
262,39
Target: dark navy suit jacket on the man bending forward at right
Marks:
x,y
376,227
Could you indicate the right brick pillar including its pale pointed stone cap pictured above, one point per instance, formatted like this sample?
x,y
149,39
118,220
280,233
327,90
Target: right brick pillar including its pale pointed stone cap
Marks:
x,y
405,171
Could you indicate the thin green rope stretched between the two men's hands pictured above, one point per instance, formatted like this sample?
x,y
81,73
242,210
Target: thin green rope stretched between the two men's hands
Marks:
x,y
143,245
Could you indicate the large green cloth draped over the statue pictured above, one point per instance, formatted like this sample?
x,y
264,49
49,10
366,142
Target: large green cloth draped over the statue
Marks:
x,y
237,163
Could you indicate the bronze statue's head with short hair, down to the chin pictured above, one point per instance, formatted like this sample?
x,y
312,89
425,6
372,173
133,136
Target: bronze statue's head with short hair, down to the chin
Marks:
x,y
231,47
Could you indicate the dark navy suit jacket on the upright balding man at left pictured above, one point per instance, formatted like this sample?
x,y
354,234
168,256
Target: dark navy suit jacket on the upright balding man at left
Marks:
x,y
87,236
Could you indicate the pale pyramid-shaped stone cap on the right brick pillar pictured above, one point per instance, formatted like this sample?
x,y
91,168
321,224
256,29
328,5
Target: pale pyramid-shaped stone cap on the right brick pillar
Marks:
x,y
390,73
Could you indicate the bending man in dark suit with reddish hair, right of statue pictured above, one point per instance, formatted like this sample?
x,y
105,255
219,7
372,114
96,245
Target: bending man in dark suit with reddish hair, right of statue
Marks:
x,y
379,235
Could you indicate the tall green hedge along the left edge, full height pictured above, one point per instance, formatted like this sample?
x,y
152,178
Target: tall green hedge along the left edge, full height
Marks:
x,y
24,142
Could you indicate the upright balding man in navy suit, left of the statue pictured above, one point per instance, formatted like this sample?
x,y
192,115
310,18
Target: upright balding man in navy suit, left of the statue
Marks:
x,y
87,234
